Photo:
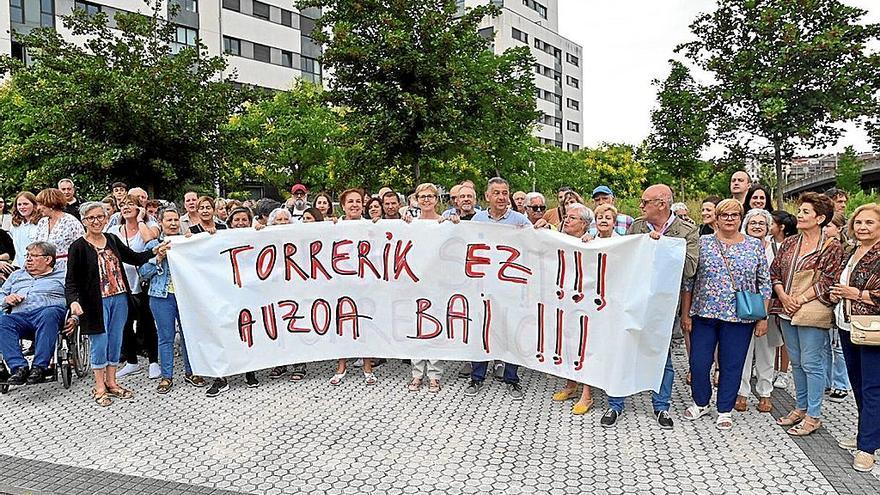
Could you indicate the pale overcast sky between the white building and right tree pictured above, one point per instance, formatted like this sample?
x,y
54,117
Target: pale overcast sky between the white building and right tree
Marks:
x,y
627,44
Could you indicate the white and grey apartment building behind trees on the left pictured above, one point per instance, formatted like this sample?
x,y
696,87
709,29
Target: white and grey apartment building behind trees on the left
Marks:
x,y
268,41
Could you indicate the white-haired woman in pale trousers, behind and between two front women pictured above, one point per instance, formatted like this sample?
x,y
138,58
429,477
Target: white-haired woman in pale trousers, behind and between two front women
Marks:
x,y
762,349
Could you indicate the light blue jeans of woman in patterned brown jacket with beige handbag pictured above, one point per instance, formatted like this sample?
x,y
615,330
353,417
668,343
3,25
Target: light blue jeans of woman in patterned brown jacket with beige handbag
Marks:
x,y
806,350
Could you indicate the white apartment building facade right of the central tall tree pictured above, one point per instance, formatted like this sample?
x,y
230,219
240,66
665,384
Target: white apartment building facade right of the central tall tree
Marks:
x,y
558,69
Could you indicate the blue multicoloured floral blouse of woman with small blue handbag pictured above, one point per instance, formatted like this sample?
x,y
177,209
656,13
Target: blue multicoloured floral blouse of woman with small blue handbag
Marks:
x,y
714,294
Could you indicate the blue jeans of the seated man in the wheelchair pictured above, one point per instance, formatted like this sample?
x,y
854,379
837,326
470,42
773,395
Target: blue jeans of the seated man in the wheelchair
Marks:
x,y
40,325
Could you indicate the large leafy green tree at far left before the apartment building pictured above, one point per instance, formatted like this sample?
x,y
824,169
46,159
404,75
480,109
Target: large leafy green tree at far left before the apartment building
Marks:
x,y
123,103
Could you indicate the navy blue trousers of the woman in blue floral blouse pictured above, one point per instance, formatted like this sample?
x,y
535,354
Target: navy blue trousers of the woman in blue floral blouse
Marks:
x,y
732,341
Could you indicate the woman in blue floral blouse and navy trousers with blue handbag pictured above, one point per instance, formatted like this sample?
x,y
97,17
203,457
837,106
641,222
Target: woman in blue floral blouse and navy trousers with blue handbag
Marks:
x,y
729,262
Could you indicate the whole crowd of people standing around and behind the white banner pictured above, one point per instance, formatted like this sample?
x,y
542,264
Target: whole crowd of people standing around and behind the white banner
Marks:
x,y
762,290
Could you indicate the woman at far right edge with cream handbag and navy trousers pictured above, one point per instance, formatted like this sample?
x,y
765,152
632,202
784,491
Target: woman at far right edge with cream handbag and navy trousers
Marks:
x,y
858,317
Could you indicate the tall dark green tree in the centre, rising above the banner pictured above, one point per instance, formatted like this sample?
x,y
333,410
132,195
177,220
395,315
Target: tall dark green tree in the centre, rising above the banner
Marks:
x,y
421,87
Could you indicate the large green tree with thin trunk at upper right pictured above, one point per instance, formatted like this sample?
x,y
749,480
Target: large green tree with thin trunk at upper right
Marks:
x,y
785,71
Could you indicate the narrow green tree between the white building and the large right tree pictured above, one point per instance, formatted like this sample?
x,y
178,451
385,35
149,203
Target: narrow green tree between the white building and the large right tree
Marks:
x,y
680,129
